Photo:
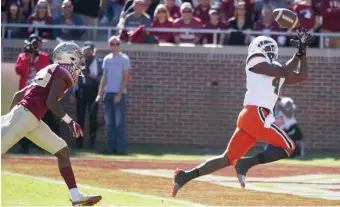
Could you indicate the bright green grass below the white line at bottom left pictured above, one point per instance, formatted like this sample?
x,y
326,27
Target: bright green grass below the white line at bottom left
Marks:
x,y
44,192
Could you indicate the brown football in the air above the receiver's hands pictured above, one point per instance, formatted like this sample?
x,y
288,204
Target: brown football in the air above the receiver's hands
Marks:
x,y
286,18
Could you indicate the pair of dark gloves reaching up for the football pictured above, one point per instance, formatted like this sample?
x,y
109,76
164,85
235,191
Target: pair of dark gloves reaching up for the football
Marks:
x,y
304,39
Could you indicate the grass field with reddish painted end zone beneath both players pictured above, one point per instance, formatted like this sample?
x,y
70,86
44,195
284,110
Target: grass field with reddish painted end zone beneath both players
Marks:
x,y
36,181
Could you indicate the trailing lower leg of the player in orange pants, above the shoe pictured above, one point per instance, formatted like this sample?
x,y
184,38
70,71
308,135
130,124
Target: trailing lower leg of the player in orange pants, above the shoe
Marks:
x,y
209,166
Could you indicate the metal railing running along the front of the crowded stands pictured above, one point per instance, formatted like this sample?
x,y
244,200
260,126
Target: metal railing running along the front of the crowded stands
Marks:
x,y
109,30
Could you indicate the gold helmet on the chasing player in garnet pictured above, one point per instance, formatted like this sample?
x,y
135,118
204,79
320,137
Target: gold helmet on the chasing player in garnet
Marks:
x,y
70,53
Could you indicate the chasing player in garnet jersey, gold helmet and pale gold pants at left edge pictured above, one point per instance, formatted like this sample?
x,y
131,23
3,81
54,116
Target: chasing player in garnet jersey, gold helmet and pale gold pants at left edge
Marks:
x,y
30,104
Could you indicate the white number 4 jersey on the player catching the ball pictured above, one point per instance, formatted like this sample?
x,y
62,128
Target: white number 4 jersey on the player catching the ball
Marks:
x,y
262,90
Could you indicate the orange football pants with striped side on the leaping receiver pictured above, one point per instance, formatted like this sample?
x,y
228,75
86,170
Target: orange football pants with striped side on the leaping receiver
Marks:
x,y
250,128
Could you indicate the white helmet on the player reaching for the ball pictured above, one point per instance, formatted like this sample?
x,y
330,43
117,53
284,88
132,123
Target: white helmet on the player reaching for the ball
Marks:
x,y
265,45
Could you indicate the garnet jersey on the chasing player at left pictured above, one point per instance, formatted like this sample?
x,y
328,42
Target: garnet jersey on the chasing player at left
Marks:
x,y
37,92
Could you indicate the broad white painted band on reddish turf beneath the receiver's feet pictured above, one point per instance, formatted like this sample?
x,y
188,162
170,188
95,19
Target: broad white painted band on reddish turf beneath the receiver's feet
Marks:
x,y
298,189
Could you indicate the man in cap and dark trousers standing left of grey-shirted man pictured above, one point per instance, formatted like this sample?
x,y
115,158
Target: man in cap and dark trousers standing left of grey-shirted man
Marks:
x,y
86,92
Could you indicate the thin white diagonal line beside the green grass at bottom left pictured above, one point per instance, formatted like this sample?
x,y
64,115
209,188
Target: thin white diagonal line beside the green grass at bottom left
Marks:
x,y
49,180
